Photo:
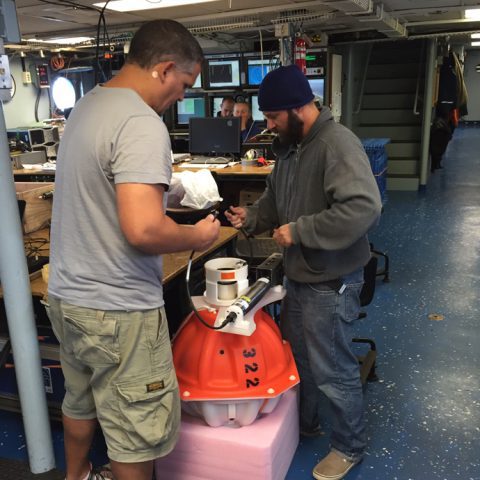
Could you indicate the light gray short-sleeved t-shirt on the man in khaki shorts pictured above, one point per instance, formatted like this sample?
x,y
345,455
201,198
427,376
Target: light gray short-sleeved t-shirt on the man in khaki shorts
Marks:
x,y
112,136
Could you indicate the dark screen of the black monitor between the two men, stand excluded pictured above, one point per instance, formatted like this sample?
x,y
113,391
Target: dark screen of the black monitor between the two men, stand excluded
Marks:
x,y
214,136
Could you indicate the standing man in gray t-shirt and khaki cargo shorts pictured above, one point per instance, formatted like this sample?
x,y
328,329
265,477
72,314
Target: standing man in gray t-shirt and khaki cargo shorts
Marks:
x,y
109,230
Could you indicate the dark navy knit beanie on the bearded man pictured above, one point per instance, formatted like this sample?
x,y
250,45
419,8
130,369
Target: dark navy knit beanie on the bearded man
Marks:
x,y
283,89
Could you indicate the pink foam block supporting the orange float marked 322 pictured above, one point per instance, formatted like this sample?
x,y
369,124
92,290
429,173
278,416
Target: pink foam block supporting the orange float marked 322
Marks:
x,y
260,451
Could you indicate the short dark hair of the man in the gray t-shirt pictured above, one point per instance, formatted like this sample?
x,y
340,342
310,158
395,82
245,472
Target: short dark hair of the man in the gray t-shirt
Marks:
x,y
163,40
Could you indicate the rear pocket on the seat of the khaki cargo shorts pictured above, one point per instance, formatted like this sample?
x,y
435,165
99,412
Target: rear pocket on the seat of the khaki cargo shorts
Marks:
x,y
91,335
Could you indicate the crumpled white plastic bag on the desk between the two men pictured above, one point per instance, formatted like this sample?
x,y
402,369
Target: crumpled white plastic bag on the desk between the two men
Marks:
x,y
201,190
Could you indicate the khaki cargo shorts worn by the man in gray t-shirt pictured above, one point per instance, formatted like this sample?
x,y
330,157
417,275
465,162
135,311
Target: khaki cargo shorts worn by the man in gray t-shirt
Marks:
x,y
118,368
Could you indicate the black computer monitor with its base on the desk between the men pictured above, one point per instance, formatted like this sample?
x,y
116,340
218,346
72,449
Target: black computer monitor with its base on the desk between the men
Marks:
x,y
214,140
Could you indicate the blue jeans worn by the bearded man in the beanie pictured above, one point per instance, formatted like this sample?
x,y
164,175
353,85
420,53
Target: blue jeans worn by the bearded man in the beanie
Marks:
x,y
317,321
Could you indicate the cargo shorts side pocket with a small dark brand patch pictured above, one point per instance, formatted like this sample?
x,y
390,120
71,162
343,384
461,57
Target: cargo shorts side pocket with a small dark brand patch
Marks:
x,y
149,409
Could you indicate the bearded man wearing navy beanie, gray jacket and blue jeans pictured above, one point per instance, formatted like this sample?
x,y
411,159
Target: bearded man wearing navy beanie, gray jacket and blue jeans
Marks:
x,y
321,199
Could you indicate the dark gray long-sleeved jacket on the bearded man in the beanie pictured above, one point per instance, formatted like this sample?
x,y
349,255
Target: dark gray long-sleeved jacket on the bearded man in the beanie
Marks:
x,y
325,190
